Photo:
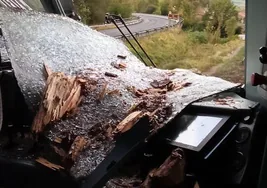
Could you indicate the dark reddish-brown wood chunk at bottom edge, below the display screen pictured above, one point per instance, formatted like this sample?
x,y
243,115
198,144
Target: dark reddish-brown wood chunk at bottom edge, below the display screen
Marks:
x,y
170,174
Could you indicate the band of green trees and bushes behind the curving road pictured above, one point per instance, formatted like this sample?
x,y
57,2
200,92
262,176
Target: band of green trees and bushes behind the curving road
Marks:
x,y
220,19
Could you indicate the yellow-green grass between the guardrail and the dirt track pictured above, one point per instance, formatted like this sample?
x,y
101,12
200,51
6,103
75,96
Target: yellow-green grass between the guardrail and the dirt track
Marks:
x,y
178,49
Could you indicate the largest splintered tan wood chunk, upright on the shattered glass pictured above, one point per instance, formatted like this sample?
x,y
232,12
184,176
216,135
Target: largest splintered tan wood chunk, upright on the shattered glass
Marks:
x,y
62,95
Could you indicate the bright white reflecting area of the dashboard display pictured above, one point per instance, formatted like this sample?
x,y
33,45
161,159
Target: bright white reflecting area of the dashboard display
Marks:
x,y
197,130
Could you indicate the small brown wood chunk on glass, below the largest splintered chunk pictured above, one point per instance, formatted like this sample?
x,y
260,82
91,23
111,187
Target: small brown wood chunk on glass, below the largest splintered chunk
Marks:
x,y
77,146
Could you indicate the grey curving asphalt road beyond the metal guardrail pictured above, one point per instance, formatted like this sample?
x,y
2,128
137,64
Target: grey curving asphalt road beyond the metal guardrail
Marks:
x,y
149,22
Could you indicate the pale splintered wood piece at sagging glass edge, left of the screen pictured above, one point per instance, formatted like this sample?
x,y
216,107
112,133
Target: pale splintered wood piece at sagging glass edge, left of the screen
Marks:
x,y
128,122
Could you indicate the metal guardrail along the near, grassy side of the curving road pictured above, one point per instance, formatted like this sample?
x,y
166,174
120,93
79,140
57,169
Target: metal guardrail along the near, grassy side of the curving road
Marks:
x,y
154,30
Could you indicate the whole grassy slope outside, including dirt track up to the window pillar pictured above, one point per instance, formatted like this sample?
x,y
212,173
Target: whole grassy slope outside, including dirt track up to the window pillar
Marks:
x,y
178,49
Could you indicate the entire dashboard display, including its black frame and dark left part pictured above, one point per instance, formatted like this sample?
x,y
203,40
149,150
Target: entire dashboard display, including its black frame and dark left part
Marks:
x,y
194,131
